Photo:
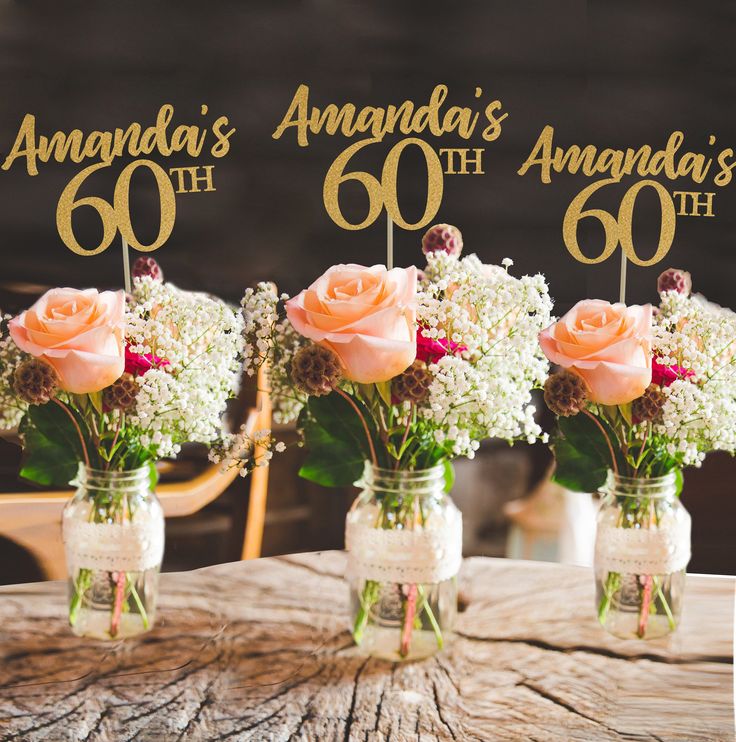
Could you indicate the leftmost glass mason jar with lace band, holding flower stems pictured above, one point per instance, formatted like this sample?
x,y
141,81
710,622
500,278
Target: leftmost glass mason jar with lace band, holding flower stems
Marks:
x,y
113,531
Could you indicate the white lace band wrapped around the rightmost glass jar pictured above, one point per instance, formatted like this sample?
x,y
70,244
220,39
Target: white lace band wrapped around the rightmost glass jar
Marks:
x,y
643,551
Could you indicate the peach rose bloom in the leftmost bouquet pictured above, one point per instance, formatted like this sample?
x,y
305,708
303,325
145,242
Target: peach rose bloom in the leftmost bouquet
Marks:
x,y
79,333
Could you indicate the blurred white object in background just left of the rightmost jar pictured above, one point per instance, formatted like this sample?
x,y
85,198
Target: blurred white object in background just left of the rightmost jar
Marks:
x,y
552,524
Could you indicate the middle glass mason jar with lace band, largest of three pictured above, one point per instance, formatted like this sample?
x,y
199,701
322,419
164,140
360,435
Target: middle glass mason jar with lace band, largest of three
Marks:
x,y
403,535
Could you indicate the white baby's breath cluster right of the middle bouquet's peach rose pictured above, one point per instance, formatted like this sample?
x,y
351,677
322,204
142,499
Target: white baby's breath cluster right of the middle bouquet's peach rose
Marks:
x,y
484,391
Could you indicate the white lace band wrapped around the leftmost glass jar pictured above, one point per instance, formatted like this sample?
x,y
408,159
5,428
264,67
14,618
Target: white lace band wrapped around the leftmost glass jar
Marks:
x,y
111,547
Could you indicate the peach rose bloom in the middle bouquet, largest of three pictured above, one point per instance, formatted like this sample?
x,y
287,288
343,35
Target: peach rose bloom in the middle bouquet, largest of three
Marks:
x,y
366,316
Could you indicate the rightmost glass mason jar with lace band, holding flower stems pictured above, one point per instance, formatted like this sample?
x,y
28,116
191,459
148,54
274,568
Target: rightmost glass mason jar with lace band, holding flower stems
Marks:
x,y
642,549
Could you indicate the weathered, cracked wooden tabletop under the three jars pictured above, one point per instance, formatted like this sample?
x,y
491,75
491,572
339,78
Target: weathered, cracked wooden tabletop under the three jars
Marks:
x,y
260,651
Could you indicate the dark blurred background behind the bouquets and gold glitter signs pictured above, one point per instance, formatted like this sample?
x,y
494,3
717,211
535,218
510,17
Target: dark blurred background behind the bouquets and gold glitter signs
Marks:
x,y
611,74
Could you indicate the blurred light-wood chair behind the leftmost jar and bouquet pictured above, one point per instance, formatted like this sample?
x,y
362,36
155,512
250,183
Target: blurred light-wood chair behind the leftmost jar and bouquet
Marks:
x,y
33,519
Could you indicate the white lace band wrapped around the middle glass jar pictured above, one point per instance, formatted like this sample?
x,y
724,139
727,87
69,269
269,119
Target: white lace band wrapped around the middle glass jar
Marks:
x,y
424,555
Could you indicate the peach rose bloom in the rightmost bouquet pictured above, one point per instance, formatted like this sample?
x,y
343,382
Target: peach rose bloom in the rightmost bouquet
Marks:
x,y
608,345
